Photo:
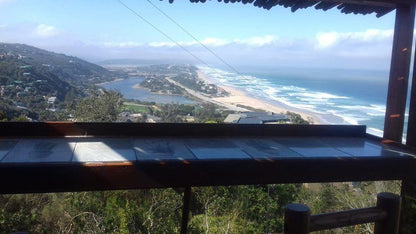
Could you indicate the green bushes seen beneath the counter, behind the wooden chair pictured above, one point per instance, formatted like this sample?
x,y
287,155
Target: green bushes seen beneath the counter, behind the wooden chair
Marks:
x,y
225,209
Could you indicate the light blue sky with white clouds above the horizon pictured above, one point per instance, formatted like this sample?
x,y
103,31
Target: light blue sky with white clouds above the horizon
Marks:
x,y
239,35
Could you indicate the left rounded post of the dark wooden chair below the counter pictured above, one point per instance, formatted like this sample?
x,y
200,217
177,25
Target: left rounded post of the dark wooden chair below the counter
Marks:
x,y
297,219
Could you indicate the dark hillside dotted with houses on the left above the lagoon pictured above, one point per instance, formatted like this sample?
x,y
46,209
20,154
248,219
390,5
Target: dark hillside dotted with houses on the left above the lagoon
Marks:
x,y
40,81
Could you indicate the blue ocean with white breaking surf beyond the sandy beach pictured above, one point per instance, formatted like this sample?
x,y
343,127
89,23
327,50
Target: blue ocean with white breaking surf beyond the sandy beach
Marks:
x,y
338,96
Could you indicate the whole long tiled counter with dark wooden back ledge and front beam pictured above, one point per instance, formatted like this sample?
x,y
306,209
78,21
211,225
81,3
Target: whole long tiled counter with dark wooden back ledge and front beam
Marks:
x,y
53,157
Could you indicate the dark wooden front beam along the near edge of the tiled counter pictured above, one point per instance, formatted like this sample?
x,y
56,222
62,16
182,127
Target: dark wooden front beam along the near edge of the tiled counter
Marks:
x,y
67,177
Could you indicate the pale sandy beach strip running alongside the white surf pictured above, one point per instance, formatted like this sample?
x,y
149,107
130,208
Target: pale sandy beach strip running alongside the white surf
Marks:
x,y
238,97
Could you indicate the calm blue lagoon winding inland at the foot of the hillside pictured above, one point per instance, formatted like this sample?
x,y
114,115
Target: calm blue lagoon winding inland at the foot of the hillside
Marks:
x,y
125,87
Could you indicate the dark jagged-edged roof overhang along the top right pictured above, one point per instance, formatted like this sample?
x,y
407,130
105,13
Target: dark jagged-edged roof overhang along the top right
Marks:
x,y
379,7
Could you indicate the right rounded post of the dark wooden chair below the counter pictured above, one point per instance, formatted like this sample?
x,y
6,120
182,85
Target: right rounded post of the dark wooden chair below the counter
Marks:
x,y
390,203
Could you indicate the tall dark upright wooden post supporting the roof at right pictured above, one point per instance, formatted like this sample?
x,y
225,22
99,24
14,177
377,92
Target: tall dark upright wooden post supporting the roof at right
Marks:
x,y
399,72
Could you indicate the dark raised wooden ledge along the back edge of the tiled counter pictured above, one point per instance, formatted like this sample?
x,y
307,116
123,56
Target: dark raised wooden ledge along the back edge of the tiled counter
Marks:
x,y
29,129
